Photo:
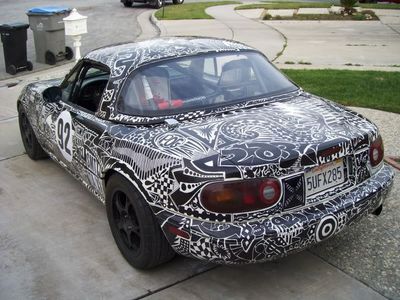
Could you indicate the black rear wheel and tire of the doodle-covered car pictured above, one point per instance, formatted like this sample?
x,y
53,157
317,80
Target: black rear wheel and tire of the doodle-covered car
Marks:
x,y
134,227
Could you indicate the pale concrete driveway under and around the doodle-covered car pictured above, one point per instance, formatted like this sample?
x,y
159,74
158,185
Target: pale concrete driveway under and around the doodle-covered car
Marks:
x,y
55,243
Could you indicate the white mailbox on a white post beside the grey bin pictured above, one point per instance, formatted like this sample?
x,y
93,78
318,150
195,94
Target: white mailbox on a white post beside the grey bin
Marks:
x,y
75,26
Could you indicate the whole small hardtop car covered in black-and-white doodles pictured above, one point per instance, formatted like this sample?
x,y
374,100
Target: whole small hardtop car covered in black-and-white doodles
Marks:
x,y
201,147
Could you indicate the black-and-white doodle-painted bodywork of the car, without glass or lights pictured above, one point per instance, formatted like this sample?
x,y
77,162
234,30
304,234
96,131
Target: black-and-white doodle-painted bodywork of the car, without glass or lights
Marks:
x,y
279,137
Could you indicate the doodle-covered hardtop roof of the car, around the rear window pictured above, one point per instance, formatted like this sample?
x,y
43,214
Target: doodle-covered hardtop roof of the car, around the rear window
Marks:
x,y
125,60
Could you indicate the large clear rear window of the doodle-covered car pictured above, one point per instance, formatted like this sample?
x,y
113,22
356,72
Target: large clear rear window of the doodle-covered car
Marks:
x,y
200,82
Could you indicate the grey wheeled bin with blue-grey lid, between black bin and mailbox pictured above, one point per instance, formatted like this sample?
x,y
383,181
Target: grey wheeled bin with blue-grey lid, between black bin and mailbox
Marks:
x,y
49,34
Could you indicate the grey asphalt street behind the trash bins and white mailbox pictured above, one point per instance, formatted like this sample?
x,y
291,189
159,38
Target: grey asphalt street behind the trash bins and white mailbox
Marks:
x,y
109,22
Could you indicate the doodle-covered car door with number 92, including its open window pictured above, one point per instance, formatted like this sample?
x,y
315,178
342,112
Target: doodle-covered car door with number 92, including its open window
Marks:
x,y
77,128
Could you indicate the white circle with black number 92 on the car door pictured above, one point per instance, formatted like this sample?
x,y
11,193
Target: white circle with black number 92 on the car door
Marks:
x,y
64,134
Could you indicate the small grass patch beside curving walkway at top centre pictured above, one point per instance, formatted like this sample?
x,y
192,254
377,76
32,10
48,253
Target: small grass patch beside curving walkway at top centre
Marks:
x,y
189,10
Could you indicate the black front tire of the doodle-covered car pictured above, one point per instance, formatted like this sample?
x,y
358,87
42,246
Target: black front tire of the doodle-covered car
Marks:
x,y
31,144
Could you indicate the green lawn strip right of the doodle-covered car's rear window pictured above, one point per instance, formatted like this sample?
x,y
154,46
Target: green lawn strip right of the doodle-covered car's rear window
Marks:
x,y
372,89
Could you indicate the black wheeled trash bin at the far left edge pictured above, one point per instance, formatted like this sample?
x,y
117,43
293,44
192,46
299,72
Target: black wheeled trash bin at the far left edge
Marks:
x,y
14,37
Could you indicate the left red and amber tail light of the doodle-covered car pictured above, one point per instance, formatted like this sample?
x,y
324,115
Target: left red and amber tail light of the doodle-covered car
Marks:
x,y
241,196
